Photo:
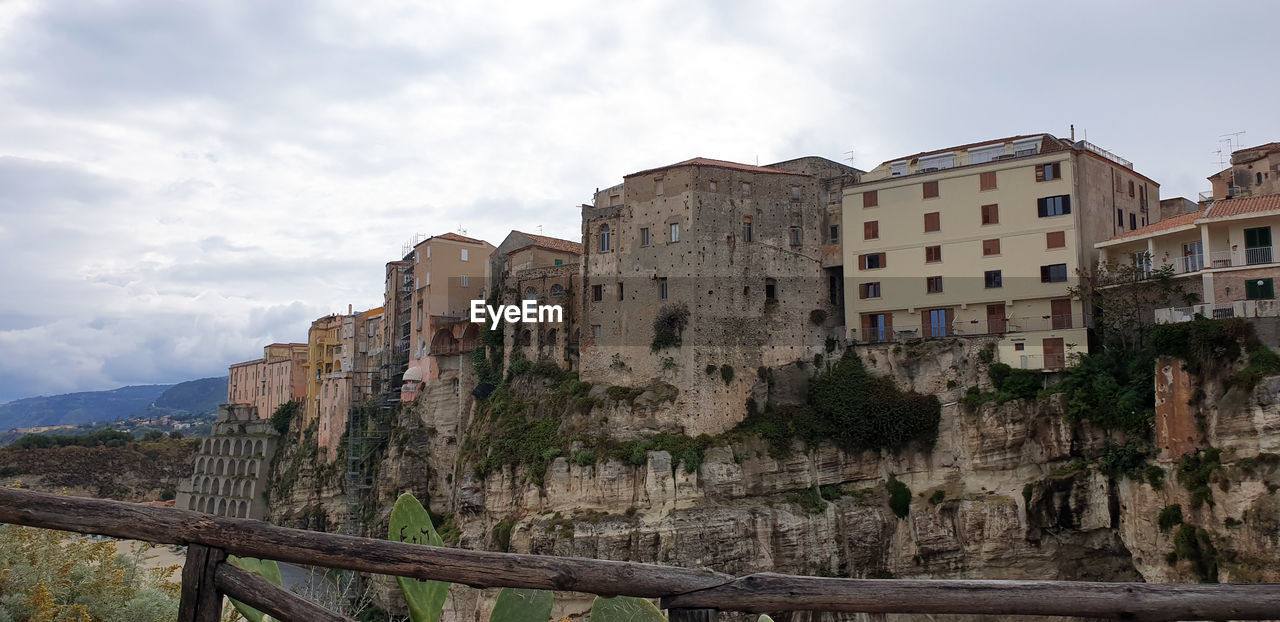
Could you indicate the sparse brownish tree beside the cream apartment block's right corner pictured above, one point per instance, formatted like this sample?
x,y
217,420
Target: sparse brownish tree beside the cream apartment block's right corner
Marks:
x,y
1124,299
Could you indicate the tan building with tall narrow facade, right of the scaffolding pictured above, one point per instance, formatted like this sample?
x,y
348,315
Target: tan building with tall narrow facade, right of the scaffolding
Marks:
x,y
449,272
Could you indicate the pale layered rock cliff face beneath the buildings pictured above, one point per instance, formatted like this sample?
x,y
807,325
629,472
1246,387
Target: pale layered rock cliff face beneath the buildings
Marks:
x,y
1011,491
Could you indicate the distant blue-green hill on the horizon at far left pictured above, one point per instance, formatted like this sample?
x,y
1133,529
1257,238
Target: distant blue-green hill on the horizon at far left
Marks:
x,y
72,409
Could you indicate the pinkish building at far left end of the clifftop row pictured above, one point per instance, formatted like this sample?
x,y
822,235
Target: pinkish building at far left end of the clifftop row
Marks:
x,y
267,383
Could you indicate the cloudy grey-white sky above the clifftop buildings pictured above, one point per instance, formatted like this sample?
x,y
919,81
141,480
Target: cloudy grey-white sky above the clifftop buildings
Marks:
x,y
184,182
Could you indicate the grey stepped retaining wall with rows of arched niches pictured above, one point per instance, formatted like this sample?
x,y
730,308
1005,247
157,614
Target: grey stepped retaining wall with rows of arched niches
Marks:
x,y
232,466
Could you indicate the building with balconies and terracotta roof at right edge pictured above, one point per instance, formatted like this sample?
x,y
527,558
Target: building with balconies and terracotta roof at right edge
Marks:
x,y
1224,253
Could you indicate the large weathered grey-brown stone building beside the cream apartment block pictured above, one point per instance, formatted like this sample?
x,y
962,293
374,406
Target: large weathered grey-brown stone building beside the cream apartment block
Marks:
x,y
740,248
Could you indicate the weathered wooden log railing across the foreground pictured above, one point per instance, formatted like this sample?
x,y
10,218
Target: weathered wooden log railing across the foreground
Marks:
x,y
687,594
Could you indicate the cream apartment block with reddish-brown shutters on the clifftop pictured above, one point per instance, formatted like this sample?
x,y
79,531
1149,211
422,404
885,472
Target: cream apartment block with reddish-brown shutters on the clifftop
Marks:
x,y
986,240
